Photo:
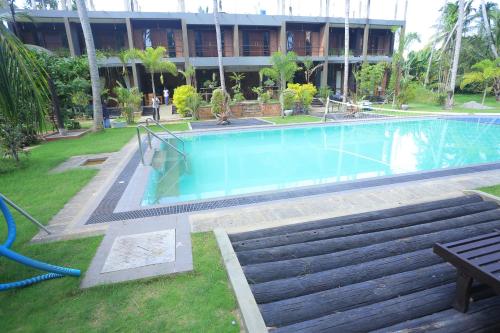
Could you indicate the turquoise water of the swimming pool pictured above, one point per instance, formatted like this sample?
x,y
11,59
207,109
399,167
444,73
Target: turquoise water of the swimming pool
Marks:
x,y
242,162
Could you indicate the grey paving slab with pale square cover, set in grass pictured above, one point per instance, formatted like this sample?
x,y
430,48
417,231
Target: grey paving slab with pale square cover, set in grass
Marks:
x,y
142,248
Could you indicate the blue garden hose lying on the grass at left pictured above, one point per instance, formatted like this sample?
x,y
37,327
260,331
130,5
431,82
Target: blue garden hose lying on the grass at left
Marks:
x,y
54,271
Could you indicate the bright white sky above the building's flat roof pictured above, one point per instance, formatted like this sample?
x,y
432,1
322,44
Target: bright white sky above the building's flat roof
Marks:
x,y
422,15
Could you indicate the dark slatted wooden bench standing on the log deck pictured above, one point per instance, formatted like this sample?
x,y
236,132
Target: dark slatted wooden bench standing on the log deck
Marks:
x,y
475,258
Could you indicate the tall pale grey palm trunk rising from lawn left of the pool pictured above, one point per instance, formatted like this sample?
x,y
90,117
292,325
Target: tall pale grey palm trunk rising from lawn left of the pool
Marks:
x,y
94,71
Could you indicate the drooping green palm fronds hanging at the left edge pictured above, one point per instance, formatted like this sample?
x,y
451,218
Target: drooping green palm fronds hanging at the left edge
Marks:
x,y
24,93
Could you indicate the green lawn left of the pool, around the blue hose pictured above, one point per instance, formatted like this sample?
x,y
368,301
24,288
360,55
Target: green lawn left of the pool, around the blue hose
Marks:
x,y
191,302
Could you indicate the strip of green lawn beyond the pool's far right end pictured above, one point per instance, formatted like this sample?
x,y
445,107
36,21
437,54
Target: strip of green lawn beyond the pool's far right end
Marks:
x,y
459,100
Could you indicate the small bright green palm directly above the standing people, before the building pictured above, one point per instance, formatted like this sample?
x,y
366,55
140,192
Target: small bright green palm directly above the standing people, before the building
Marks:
x,y
154,62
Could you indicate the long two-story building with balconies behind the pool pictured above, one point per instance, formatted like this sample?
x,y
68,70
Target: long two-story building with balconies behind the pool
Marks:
x,y
248,41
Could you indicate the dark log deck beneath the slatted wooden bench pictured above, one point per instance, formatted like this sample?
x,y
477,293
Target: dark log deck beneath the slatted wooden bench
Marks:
x,y
373,271
